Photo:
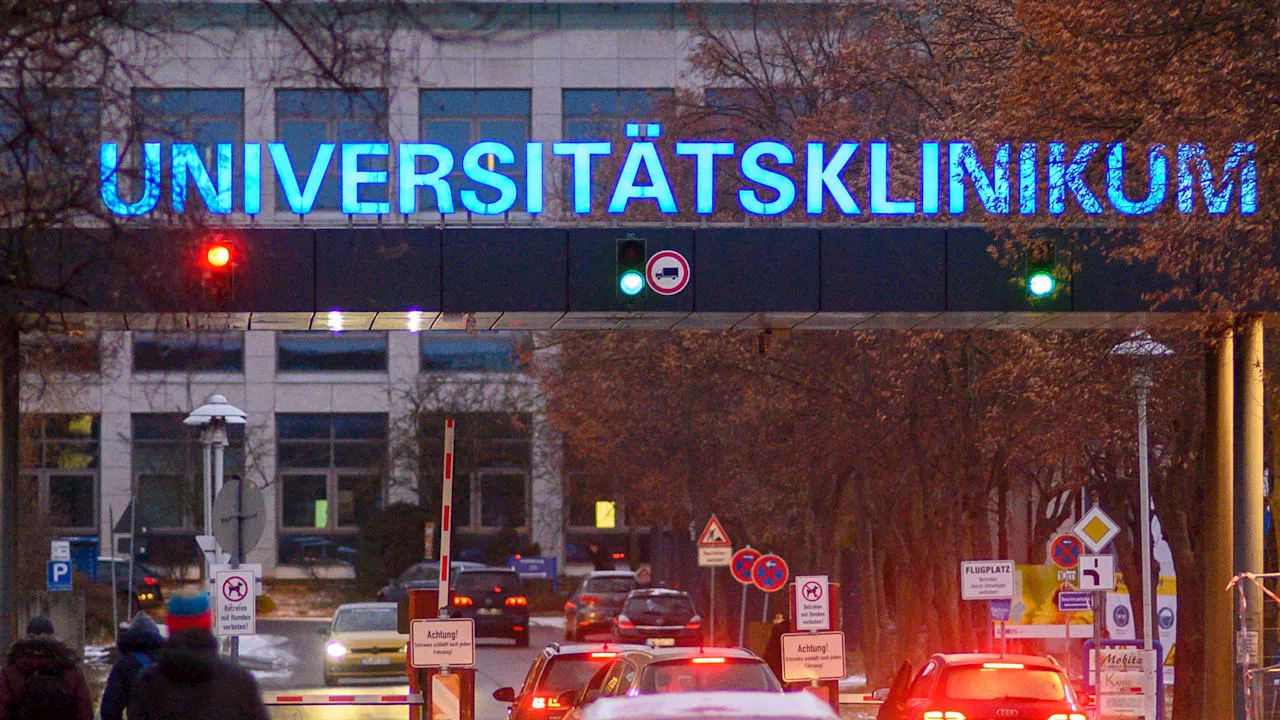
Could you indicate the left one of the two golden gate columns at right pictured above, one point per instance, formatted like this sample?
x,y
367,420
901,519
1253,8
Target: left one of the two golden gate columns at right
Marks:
x,y
1220,516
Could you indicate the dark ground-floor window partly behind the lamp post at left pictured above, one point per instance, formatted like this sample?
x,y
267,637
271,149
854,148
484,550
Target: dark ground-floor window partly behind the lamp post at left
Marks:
x,y
168,468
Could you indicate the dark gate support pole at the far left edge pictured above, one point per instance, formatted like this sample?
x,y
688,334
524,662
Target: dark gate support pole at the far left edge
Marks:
x,y
11,376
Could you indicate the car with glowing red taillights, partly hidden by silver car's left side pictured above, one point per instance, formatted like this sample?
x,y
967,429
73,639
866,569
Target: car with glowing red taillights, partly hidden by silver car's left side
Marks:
x,y
560,669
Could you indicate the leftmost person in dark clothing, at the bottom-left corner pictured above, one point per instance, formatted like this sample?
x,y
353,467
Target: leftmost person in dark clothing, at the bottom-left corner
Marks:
x,y
42,680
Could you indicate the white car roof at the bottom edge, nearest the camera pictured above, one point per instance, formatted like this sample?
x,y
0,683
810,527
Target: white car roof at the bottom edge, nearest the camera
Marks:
x,y
712,707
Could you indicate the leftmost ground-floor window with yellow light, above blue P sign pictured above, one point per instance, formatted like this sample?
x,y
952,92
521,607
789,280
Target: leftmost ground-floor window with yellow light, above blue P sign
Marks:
x,y
61,461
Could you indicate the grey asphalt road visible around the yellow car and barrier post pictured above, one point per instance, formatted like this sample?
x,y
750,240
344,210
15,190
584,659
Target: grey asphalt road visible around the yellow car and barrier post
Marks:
x,y
499,664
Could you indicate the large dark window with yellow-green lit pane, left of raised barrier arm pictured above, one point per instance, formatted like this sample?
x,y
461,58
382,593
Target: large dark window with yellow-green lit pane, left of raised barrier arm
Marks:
x,y
332,470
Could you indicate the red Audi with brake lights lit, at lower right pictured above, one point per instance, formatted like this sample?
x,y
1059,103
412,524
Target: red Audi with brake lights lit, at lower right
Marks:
x,y
982,686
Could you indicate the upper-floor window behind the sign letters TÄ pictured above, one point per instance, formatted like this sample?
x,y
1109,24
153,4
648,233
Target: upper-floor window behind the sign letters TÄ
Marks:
x,y
601,115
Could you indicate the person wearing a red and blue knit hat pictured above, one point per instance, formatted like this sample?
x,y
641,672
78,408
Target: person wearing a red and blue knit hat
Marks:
x,y
191,682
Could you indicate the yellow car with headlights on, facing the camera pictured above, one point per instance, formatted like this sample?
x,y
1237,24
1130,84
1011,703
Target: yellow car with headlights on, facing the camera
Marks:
x,y
364,644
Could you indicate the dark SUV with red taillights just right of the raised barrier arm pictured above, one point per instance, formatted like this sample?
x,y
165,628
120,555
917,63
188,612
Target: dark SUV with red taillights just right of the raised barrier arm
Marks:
x,y
495,598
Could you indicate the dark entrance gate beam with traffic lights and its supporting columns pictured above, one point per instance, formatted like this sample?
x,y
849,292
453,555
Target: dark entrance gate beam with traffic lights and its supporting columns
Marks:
x,y
764,279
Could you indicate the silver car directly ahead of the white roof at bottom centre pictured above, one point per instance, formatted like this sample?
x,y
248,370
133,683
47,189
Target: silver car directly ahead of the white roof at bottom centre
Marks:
x,y
676,671
